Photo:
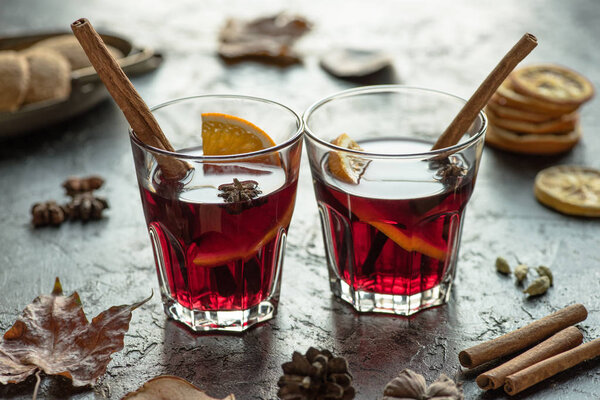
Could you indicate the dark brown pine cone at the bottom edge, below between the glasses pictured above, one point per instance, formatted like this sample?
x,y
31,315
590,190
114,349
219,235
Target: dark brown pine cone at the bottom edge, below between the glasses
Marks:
x,y
318,375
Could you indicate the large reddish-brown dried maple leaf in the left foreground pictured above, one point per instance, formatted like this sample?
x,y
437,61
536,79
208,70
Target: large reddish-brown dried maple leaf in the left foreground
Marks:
x,y
53,335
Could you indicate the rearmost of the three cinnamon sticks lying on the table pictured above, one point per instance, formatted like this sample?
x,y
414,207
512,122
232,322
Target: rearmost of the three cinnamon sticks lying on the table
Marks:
x,y
523,337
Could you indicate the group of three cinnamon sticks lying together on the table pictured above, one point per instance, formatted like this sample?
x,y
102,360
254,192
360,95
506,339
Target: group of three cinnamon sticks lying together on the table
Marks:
x,y
558,348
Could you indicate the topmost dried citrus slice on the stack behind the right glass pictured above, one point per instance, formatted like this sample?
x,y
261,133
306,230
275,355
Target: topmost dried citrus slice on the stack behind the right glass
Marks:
x,y
552,83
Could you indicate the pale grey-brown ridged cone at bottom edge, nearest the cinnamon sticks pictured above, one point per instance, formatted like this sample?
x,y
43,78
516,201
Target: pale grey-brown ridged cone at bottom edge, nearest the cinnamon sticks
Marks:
x,y
410,385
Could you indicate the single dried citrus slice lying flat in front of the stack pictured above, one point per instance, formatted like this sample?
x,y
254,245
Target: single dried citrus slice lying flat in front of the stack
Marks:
x,y
569,189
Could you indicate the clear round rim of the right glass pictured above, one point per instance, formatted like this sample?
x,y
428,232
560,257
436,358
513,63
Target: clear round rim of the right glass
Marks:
x,y
372,89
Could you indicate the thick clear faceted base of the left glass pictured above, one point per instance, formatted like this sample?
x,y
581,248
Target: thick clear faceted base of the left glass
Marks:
x,y
227,321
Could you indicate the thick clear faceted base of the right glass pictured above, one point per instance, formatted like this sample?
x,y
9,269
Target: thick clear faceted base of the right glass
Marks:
x,y
391,304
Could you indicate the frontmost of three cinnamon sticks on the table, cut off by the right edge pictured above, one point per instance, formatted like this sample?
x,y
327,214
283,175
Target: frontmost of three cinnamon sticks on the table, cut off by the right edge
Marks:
x,y
536,373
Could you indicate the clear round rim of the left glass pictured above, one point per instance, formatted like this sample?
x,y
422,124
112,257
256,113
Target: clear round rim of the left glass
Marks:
x,y
184,156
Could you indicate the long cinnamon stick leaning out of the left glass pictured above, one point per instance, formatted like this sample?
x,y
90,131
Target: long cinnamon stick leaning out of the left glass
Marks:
x,y
127,98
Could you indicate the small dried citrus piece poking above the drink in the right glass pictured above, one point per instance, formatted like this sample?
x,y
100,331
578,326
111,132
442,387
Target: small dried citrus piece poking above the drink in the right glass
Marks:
x,y
345,167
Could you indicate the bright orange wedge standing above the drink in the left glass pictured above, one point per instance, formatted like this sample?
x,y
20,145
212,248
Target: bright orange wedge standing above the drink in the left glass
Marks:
x,y
224,134
